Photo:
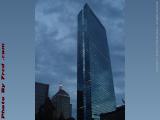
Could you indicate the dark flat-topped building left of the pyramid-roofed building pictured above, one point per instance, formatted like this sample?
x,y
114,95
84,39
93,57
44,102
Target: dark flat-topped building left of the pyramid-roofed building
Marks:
x,y
41,93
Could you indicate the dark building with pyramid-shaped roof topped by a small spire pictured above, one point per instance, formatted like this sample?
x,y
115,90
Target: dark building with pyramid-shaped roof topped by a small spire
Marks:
x,y
62,103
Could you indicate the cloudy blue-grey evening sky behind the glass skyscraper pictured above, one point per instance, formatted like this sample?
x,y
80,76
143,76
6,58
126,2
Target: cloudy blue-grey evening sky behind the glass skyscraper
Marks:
x,y
56,39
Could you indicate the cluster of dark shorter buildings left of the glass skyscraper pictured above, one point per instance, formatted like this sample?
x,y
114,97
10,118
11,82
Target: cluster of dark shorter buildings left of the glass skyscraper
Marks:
x,y
55,108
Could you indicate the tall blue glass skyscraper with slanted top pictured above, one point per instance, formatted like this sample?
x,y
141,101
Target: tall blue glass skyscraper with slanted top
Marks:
x,y
95,89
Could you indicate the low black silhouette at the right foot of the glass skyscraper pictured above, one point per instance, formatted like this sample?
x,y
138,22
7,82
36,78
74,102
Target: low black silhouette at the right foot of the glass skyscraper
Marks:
x,y
118,114
